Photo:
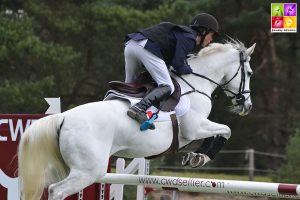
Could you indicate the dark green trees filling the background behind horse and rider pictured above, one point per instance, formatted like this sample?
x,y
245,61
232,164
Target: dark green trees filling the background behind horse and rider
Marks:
x,y
72,48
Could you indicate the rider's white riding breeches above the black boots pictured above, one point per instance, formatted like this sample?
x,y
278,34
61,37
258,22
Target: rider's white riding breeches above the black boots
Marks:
x,y
136,58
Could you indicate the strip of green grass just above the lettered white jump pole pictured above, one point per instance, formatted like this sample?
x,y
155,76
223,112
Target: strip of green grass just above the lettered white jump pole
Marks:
x,y
211,176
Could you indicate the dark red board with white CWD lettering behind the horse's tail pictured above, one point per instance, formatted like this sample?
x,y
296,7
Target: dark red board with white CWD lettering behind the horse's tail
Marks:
x,y
12,127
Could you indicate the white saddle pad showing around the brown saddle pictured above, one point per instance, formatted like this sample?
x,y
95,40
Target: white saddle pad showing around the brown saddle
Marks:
x,y
180,110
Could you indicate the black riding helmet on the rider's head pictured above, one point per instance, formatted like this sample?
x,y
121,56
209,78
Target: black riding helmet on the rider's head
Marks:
x,y
205,22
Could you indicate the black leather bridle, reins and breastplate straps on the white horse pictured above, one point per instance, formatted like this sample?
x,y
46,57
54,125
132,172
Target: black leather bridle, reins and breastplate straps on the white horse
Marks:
x,y
239,97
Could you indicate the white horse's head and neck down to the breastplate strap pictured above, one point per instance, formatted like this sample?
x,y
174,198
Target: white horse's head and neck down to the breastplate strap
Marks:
x,y
225,66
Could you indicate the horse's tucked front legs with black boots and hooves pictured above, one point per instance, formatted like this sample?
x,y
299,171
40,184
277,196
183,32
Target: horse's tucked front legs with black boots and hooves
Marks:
x,y
215,136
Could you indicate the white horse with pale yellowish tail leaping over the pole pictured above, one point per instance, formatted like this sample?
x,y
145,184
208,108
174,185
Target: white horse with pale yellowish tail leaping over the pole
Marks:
x,y
67,152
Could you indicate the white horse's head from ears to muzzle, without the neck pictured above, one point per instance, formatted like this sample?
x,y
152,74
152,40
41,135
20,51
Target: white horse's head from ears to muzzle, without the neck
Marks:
x,y
236,82
